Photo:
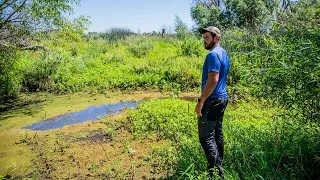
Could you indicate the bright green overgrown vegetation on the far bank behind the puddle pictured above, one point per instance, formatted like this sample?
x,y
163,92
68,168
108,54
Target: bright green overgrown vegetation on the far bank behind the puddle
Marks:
x,y
139,62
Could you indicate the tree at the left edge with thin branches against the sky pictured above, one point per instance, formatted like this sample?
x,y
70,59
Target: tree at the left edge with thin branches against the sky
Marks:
x,y
20,22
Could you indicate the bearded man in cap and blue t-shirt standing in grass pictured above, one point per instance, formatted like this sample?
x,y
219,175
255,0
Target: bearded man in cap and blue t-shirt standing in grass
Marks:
x,y
214,98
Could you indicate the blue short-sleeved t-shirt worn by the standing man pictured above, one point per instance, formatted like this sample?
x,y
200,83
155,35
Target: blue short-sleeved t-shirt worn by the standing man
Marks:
x,y
217,61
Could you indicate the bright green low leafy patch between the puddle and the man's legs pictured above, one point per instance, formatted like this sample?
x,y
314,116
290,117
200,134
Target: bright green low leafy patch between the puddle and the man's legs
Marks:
x,y
168,118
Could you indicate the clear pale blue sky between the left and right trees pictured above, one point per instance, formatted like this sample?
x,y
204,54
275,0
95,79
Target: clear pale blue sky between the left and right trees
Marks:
x,y
146,15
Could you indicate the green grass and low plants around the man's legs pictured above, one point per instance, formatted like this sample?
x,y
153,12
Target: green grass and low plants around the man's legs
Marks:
x,y
257,144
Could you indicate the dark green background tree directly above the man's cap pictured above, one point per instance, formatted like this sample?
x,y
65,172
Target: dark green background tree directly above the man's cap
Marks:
x,y
230,13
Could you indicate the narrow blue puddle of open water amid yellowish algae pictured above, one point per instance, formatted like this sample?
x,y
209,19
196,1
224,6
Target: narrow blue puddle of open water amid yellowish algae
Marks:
x,y
89,114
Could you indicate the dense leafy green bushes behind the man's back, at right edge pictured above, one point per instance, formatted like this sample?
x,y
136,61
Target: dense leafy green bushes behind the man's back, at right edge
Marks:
x,y
282,66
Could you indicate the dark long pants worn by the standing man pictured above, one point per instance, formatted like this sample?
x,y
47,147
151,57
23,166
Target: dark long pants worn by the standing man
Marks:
x,y
210,131
